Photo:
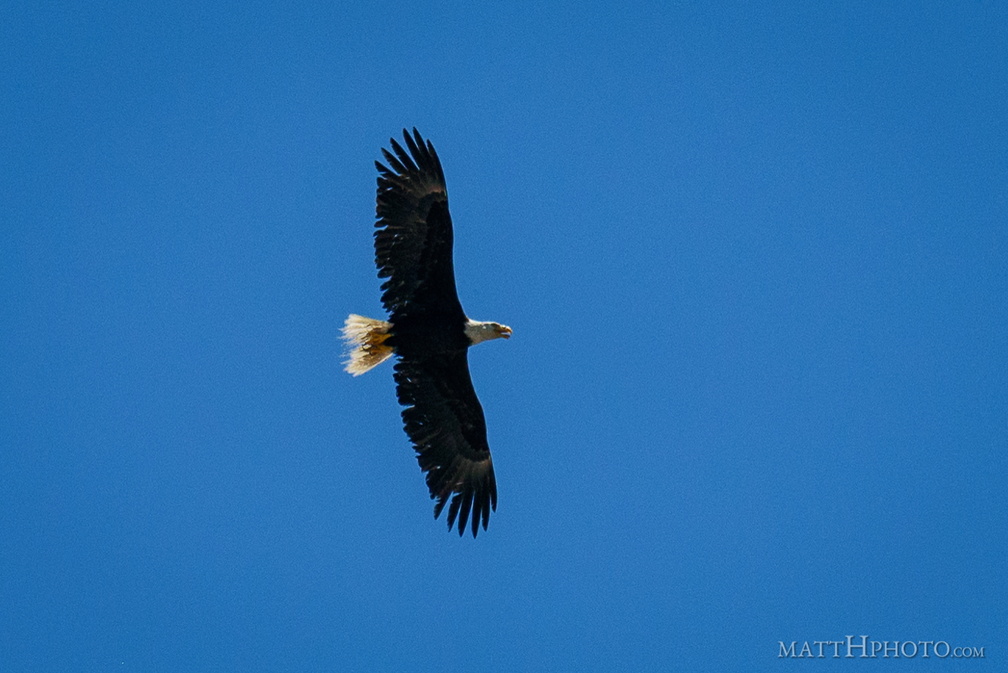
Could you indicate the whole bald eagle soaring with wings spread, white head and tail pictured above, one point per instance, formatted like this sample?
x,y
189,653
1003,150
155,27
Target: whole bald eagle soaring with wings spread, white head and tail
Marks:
x,y
430,333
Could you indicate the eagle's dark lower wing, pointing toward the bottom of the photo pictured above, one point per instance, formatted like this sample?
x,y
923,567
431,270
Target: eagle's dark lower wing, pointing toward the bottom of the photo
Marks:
x,y
445,421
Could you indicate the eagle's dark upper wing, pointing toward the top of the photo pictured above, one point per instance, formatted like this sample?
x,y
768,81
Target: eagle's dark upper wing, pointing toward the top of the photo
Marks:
x,y
414,237
